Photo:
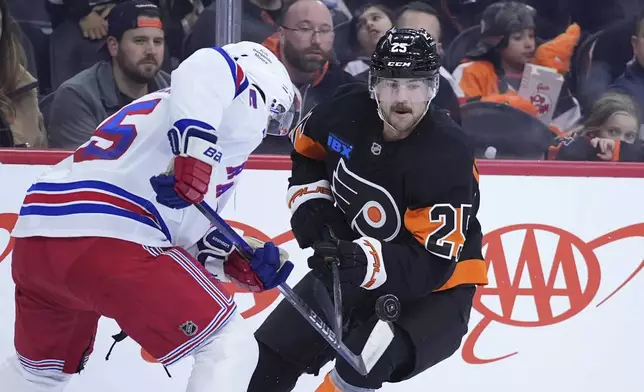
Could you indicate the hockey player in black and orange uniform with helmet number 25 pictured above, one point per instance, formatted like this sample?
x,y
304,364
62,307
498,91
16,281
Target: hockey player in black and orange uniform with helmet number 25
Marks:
x,y
384,183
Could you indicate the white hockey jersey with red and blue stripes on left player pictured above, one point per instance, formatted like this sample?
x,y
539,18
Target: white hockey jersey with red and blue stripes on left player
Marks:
x,y
104,189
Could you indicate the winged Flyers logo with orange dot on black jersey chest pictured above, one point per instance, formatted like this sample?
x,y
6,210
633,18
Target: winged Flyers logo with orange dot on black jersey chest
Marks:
x,y
370,208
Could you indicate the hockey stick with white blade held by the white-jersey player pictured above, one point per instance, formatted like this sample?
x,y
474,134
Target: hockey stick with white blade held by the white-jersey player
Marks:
x,y
378,340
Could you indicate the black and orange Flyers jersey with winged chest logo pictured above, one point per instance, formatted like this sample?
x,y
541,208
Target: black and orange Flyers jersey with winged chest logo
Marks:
x,y
417,197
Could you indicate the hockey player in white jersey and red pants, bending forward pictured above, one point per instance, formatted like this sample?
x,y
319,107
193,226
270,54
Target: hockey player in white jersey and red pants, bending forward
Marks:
x,y
104,233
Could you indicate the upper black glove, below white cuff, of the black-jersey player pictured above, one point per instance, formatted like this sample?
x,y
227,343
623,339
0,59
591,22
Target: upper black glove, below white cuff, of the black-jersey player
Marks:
x,y
310,221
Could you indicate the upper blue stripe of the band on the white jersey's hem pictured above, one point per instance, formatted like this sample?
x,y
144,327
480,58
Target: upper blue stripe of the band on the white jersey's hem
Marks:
x,y
104,186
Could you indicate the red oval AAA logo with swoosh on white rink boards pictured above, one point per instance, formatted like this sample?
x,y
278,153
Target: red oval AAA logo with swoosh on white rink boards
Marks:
x,y
575,274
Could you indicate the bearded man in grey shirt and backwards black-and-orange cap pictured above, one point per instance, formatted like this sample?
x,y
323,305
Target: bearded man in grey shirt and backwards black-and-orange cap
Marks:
x,y
135,45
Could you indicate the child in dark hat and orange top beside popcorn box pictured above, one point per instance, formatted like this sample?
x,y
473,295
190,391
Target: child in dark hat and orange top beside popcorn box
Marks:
x,y
508,42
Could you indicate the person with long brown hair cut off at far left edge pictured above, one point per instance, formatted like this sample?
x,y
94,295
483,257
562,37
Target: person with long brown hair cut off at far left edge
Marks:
x,y
21,123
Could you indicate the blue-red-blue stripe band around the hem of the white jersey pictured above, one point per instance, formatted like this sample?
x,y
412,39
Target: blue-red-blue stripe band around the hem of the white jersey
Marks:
x,y
91,197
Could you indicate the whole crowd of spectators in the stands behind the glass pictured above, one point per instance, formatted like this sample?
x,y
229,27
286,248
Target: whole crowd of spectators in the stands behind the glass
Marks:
x,y
537,79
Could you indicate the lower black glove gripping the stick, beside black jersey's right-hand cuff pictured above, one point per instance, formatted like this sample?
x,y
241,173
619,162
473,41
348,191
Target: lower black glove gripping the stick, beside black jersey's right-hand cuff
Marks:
x,y
349,256
